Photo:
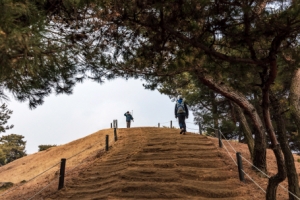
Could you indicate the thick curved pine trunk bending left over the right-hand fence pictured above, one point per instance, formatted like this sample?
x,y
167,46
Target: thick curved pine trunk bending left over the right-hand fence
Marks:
x,y
259,154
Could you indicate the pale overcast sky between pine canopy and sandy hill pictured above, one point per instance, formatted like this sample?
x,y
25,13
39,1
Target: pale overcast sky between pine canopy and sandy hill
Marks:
x,y
91,107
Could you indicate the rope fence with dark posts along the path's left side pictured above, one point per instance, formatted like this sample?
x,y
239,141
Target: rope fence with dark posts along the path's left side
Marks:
x,y
62,175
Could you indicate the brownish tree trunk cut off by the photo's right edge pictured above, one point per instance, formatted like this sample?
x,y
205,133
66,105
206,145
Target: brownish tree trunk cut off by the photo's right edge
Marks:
x,y
294,98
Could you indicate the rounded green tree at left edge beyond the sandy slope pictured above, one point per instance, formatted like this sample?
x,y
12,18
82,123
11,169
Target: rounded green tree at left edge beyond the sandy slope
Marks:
x,y
12,147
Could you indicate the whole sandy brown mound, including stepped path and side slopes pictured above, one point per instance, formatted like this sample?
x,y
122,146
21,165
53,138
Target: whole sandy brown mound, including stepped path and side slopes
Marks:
x,y
145,163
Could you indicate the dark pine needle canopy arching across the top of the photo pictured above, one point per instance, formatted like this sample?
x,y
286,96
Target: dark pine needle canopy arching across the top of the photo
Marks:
x,y
49,46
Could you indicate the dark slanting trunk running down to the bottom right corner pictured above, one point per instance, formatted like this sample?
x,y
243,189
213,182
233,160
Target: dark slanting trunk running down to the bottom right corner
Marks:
x,y
289,158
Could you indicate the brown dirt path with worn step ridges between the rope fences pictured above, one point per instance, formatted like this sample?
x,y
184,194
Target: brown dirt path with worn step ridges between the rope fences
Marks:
x,y
149,164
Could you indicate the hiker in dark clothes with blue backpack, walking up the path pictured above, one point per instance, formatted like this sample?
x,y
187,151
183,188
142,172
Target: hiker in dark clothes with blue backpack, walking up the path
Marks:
x,y
182,112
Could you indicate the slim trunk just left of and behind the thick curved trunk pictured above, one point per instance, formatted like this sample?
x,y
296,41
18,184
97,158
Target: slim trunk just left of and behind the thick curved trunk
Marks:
x,y
246,129
